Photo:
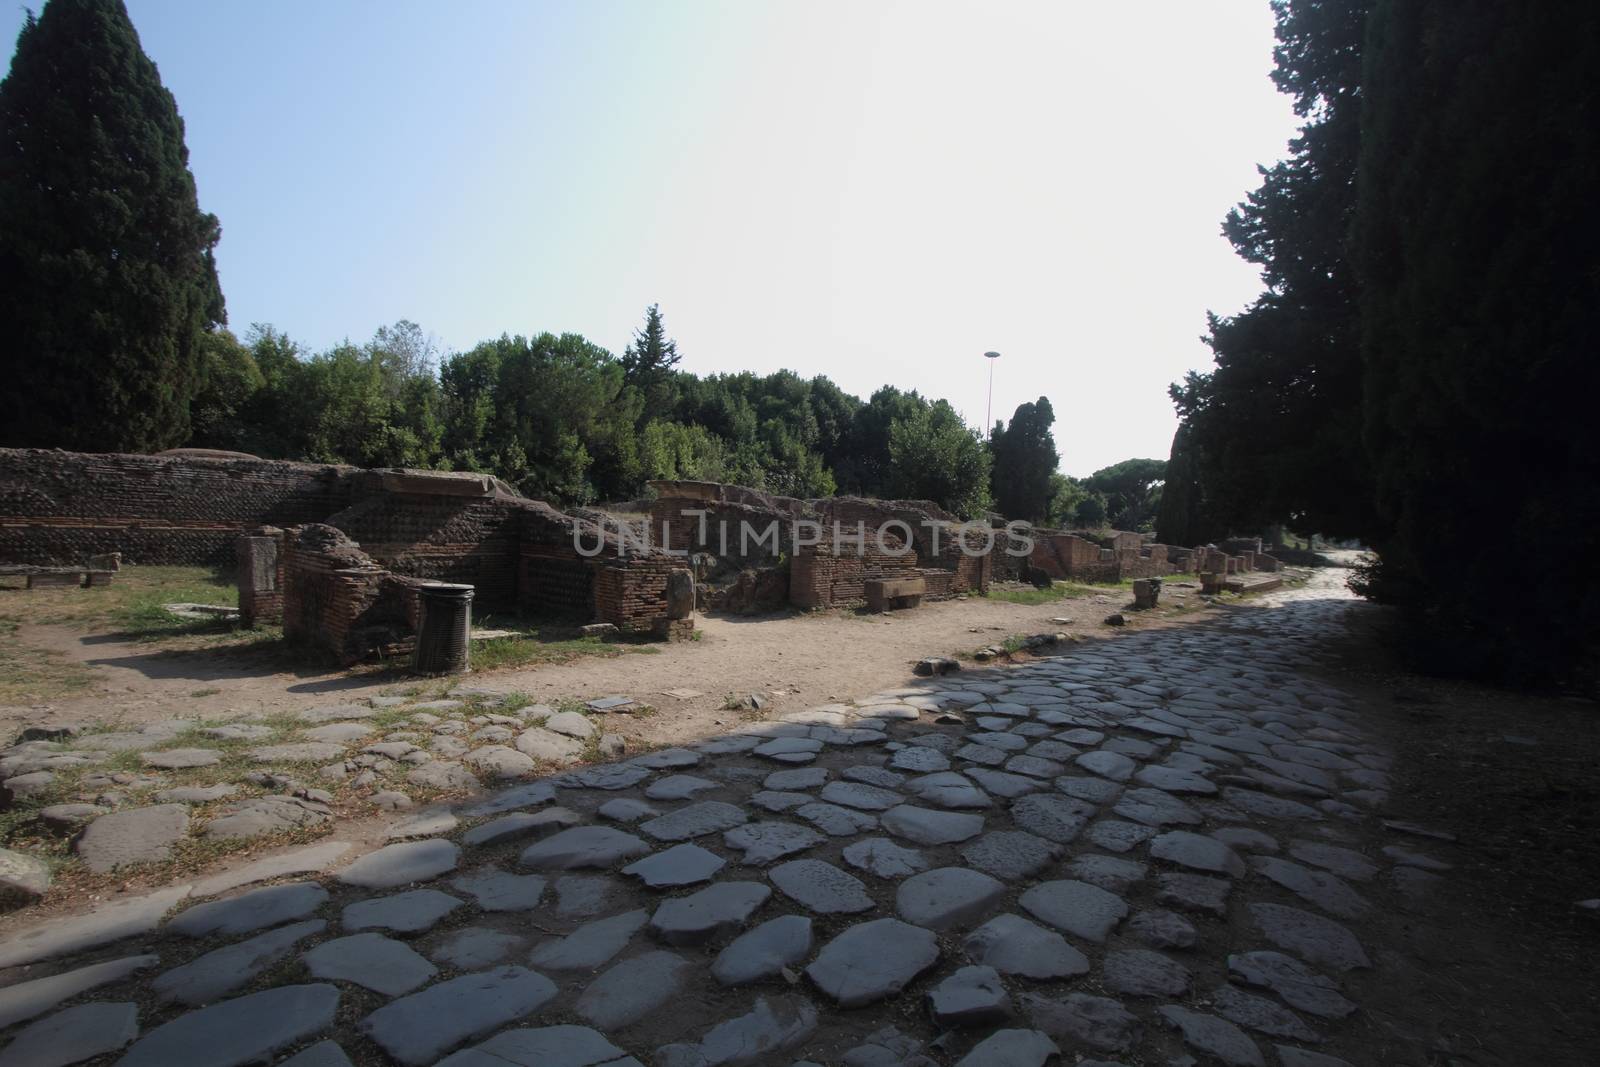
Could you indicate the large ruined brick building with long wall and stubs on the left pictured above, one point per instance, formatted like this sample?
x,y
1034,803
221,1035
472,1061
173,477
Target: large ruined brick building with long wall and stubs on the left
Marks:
x,y
335,553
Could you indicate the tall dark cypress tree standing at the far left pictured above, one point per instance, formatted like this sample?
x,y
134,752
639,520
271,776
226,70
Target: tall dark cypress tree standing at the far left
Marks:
x,y
108,281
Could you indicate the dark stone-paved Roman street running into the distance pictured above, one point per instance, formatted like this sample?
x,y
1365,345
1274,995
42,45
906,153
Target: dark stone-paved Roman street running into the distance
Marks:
x,y
1159,849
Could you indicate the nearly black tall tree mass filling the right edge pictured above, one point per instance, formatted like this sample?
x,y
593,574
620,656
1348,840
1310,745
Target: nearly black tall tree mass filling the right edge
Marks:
x,y
1481,306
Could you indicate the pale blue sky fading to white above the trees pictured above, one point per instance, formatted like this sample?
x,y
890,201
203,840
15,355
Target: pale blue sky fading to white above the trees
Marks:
x,y
874,191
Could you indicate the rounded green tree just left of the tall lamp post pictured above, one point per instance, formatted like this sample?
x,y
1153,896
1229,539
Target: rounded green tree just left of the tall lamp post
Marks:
x,y
935,457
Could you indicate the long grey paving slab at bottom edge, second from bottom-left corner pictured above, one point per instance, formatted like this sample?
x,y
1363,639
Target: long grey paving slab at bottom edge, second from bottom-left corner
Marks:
x,y
241,1031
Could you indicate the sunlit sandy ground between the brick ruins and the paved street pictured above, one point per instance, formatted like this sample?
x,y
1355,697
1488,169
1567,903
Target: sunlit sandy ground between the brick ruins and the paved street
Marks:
x,y
794,660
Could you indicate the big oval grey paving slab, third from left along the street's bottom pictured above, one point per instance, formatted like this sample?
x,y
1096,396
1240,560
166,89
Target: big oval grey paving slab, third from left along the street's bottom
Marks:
x,y
422,1028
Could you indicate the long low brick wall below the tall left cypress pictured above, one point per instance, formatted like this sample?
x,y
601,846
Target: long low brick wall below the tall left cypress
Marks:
x,y
174,510
